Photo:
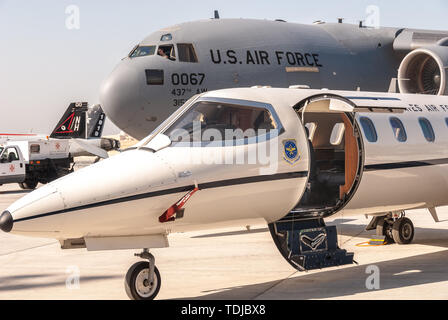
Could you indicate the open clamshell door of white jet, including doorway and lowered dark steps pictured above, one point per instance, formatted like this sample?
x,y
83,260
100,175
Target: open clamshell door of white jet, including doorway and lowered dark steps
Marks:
x,y
337,154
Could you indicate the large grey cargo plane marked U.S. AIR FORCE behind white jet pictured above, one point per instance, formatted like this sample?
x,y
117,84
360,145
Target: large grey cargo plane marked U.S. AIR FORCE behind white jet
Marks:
x,y
173,64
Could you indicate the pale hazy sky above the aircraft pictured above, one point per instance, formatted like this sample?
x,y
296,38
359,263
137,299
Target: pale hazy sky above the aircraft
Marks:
x,y
44,66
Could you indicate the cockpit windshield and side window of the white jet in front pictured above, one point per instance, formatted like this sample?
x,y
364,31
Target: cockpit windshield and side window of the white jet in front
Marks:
x,y
213,121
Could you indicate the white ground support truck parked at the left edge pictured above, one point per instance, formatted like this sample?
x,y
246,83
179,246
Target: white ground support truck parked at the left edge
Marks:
x,y
30,162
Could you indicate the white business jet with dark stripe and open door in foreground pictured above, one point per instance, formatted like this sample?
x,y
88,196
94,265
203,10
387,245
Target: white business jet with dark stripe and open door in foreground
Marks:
x,y
291,157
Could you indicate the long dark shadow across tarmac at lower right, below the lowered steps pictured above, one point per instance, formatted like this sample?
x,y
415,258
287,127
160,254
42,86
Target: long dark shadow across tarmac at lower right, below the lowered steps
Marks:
x,y
394,274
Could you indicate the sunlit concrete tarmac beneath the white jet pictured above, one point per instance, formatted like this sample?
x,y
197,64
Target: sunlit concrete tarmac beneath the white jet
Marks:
x,y
230,264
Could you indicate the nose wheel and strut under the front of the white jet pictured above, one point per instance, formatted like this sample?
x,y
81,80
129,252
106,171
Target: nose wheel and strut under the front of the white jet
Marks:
x,y
143,279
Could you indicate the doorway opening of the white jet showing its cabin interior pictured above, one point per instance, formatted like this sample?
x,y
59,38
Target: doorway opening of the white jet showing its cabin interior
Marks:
x,y
335,157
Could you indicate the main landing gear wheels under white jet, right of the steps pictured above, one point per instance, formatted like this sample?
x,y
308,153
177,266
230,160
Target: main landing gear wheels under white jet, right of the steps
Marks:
x,y
396,228
